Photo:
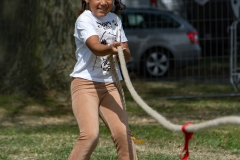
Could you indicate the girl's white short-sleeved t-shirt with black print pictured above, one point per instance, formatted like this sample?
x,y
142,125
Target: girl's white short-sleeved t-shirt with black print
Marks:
x,y
108,29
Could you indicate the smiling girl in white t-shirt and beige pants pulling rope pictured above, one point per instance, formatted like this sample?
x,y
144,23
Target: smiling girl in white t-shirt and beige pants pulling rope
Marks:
x,y
98,33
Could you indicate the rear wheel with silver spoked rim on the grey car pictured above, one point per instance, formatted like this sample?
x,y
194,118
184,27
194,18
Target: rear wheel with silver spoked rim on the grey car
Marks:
x,y
157,63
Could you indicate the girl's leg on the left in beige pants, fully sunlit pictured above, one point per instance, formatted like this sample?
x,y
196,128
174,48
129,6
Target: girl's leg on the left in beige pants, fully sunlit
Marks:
x,y
85,108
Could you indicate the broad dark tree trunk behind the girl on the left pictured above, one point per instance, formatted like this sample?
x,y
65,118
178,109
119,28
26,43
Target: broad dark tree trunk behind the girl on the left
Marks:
x,y
37,45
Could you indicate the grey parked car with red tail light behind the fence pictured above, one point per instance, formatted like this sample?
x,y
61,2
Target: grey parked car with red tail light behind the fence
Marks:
x,y
159,41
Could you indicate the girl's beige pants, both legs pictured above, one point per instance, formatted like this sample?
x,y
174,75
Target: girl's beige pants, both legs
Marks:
x,y
91,100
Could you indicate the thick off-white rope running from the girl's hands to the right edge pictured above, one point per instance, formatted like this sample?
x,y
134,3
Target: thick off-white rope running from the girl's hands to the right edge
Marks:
x,y
162,120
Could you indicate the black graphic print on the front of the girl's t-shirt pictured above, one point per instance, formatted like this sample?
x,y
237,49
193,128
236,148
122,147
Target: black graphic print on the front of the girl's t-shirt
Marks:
x,y
107,35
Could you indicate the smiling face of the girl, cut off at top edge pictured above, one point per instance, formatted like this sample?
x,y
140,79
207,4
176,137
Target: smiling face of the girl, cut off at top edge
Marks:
x,y
100,8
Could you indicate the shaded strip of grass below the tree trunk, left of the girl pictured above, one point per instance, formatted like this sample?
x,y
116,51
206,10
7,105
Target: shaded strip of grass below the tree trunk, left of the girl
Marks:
x,y
12,106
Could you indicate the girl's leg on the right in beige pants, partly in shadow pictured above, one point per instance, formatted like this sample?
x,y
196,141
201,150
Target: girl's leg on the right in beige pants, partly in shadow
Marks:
x,y
115,117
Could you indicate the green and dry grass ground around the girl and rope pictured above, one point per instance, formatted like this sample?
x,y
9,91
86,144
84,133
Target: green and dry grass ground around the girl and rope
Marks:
x,y
45,129
